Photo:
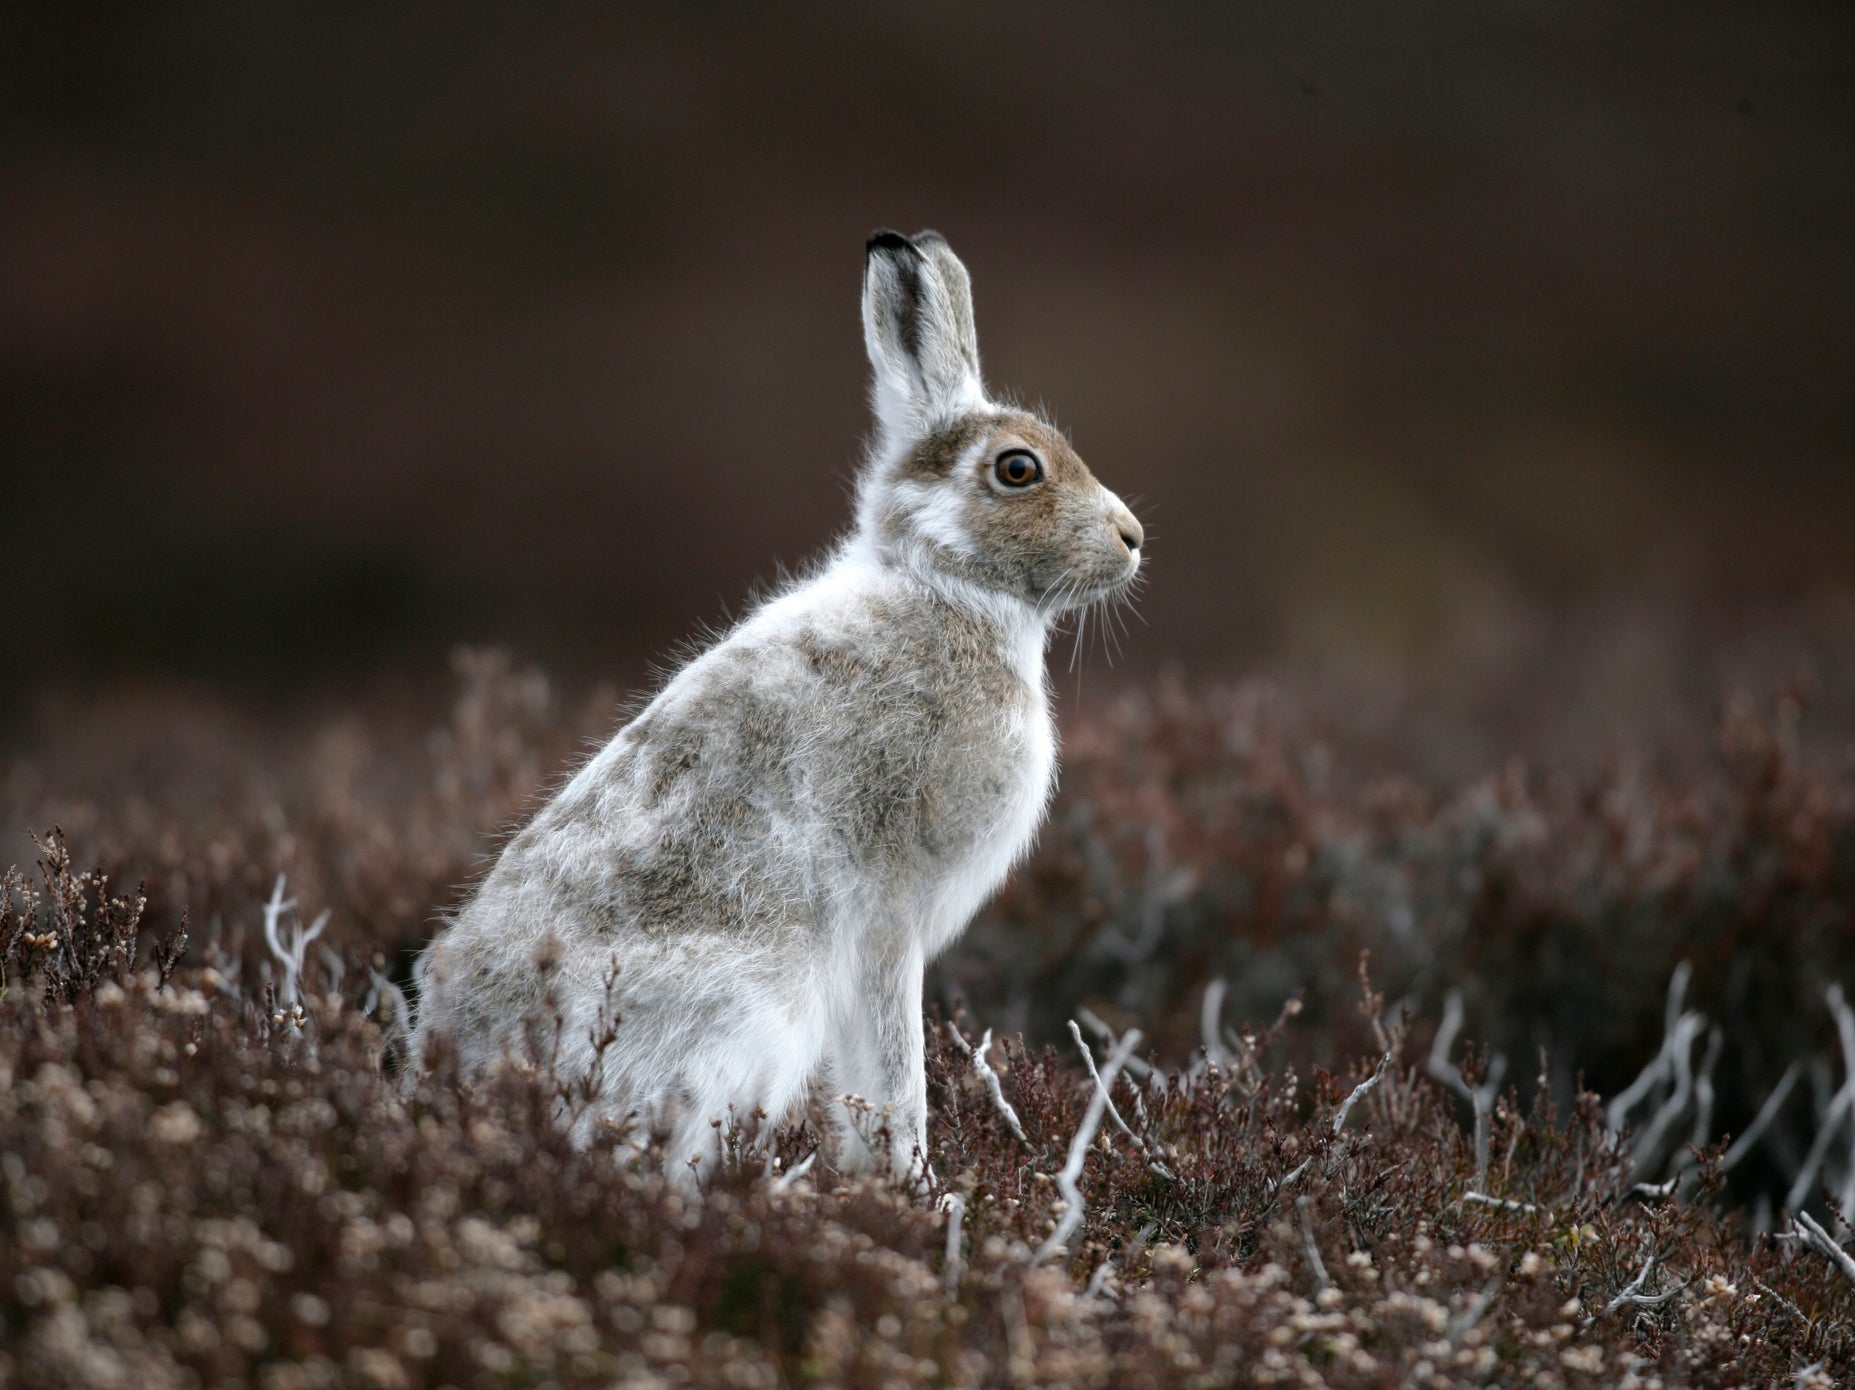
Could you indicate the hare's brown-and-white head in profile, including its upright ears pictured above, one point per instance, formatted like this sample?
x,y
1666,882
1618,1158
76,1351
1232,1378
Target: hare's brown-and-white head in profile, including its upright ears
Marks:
x,y
966,487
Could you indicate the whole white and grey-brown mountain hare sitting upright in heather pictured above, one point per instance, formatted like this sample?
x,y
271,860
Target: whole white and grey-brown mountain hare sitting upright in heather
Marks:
x,y
756,871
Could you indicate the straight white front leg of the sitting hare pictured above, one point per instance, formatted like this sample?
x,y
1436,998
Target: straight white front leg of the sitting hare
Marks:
x,y
878,1055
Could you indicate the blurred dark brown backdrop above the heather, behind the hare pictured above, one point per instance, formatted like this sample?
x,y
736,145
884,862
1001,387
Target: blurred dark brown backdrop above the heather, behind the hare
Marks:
x,y
1431,337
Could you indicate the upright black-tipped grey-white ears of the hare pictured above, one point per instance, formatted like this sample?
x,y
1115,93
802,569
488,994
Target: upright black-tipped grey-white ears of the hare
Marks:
x,y
917,324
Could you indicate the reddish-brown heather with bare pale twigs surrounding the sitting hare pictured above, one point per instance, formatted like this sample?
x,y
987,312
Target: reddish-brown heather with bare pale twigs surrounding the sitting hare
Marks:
x,y
1381,1074
